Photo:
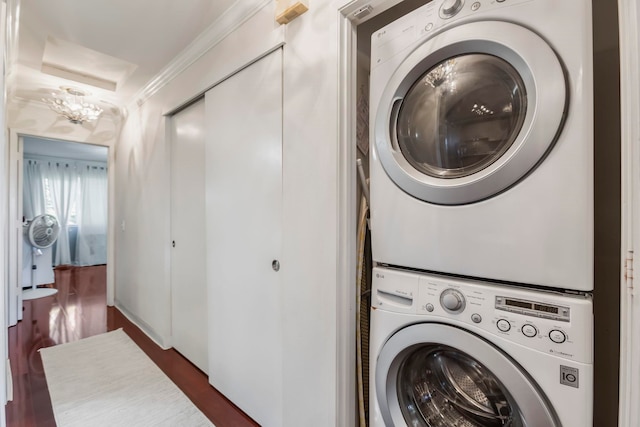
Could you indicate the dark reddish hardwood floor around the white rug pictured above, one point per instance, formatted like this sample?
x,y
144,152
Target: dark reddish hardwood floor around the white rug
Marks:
x,y
77,311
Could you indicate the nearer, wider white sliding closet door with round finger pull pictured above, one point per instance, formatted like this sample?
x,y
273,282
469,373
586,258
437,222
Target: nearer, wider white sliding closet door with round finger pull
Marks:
x,y
244,233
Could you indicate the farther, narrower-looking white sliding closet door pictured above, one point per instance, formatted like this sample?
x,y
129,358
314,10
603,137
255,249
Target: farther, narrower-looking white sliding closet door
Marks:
x,y
188,272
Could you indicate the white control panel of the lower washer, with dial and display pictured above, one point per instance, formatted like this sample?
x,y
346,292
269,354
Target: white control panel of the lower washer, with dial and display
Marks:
x,y
552,322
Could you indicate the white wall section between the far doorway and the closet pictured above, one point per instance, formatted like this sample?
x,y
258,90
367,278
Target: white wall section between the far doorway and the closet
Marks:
x,y
142,221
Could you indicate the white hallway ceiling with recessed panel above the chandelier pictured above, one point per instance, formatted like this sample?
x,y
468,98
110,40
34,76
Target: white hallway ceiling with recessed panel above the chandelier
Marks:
x,y
109,48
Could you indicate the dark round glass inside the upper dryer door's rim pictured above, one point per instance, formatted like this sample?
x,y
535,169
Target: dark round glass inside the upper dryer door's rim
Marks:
x,y
461,115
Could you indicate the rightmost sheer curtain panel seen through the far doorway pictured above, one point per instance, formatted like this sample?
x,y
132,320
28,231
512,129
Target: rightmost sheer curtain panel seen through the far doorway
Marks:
x,y
91,247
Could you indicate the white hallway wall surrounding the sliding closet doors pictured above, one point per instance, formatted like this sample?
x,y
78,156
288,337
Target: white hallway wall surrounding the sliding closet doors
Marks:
x,y
310,170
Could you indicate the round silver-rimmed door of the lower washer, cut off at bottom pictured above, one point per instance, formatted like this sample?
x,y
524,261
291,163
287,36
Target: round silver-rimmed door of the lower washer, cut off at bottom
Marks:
x,y
435,375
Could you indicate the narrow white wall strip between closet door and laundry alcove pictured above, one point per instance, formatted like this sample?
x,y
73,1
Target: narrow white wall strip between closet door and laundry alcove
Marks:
x,y
310,245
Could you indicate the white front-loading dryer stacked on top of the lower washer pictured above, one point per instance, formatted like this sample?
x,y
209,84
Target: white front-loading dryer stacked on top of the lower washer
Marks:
x,y
482,141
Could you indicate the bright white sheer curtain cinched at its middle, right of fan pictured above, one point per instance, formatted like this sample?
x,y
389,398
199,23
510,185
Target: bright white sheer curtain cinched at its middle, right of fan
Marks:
x,y
63,185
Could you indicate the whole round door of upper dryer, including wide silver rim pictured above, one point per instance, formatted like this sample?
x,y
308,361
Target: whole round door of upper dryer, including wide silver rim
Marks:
x,y
470,112
